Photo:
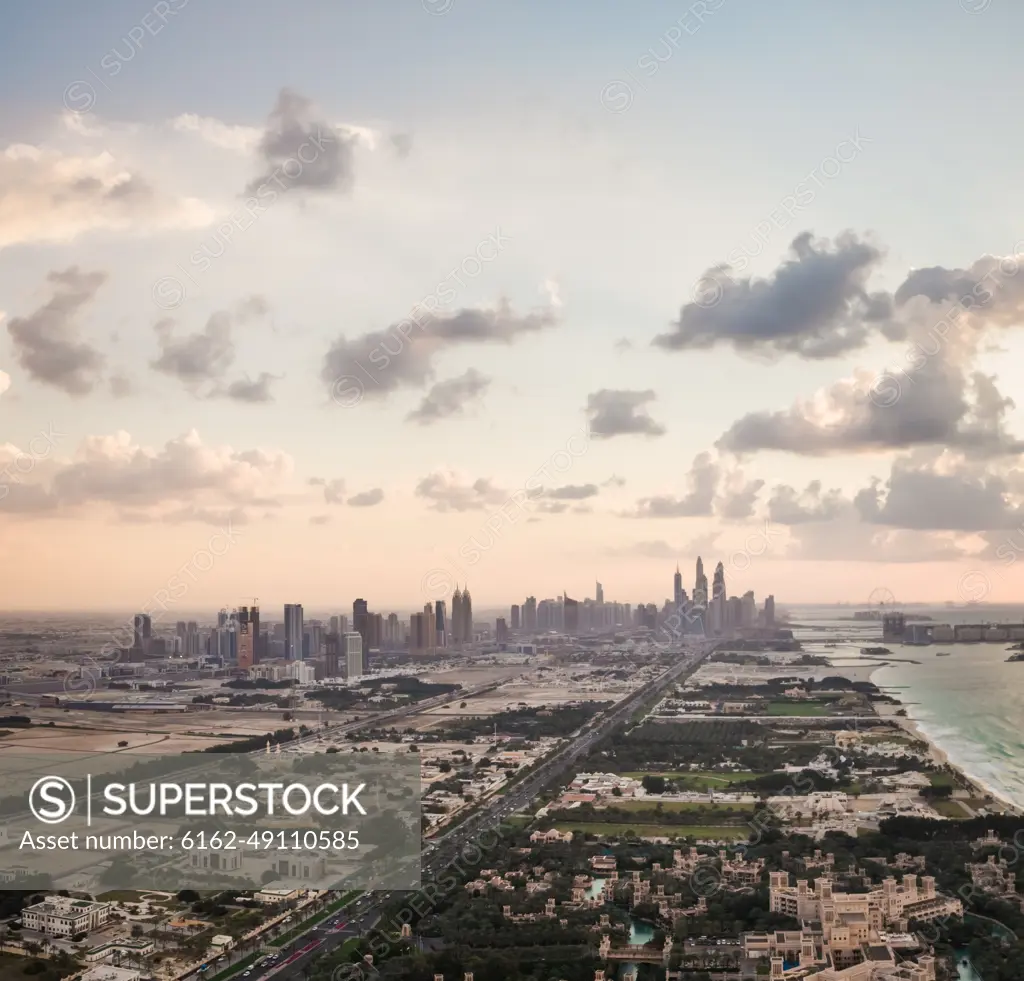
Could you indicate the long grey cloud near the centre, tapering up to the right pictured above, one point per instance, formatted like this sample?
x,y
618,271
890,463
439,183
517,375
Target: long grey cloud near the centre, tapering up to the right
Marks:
x,y
402,357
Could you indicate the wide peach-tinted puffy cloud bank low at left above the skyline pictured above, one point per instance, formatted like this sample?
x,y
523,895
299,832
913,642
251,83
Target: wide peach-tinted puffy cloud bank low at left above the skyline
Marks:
x,y
183,481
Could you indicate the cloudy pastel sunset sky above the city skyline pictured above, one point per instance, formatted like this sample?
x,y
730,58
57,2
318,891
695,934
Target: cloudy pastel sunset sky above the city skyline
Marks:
x,y
368,301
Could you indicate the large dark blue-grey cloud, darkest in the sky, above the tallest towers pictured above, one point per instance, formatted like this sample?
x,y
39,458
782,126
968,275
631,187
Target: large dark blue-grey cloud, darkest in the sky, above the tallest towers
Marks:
x,y
817,305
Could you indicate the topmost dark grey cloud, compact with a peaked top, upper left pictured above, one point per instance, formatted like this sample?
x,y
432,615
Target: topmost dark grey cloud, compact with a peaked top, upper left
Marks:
x,y
300,153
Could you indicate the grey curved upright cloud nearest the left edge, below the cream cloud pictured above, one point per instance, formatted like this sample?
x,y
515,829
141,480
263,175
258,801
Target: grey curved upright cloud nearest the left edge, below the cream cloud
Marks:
x,y
47,343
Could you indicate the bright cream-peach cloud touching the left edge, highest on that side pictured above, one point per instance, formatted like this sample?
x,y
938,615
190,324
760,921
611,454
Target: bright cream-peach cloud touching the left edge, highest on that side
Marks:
x,y
52,197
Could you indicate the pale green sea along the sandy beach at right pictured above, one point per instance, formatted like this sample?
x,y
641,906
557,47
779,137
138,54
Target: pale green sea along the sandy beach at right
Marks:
x,y
969,705
